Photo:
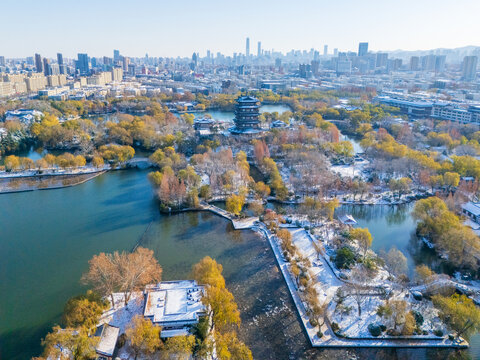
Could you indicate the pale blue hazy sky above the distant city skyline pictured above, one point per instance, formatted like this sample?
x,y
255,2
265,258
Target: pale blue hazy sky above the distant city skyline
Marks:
x,y
179,27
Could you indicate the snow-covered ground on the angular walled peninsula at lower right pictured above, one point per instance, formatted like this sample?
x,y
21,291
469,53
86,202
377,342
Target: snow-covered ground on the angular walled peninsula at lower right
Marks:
x,y
352,325
